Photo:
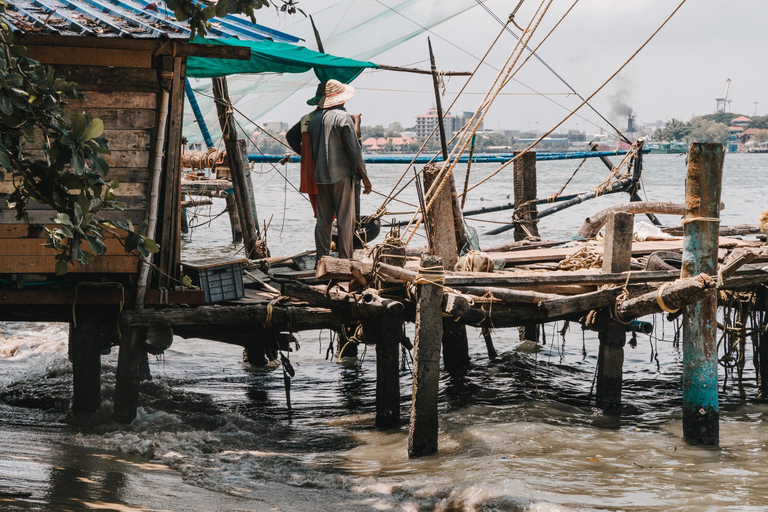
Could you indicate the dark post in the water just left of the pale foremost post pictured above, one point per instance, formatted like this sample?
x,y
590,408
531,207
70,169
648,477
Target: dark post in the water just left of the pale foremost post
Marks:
x,y
386,330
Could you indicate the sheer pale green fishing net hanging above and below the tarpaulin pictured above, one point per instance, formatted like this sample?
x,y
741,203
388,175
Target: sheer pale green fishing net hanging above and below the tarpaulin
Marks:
x,y
350,28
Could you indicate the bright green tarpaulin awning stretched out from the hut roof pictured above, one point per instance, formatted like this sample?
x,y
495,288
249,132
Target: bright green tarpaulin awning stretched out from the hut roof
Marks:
x,y
271,57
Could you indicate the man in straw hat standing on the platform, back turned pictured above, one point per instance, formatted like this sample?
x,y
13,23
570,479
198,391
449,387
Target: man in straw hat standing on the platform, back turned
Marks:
x,y
338,160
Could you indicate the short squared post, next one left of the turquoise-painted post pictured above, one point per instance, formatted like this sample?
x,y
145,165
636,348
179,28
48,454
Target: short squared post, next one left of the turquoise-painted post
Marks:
x,y
617,257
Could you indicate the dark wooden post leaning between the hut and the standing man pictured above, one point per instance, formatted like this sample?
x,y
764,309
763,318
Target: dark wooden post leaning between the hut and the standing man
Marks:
x,y
236,167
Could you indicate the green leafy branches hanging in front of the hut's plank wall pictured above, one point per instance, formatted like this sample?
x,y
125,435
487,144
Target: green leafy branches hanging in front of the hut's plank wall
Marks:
x,y
67,174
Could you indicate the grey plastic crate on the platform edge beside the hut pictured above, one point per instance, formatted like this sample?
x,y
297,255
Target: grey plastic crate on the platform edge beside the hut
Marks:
x,y
220,280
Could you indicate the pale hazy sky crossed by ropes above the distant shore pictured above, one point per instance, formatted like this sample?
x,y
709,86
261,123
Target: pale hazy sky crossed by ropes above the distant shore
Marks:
x,y
677,75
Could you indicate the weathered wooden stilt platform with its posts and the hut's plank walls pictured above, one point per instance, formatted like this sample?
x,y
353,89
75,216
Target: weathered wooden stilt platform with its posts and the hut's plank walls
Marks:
x,y
137,85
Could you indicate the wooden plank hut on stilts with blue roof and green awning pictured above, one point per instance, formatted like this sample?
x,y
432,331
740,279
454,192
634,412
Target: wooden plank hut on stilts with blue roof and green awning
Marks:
x,y
131,58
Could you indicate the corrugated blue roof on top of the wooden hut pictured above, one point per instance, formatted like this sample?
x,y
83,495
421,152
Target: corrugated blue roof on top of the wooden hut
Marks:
x,y
123,19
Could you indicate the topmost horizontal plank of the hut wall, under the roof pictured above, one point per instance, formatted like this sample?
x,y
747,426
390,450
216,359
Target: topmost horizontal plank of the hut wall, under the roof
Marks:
x,y
90,56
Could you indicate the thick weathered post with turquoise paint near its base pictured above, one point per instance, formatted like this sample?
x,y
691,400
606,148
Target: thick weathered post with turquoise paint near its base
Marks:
x,y
700,245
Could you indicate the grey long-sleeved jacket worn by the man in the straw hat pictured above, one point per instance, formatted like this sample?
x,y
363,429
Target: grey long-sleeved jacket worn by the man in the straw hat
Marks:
x,y
335,148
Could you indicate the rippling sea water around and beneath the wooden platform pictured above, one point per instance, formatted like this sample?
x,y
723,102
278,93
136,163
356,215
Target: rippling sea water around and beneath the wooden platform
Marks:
x,y
519,433
